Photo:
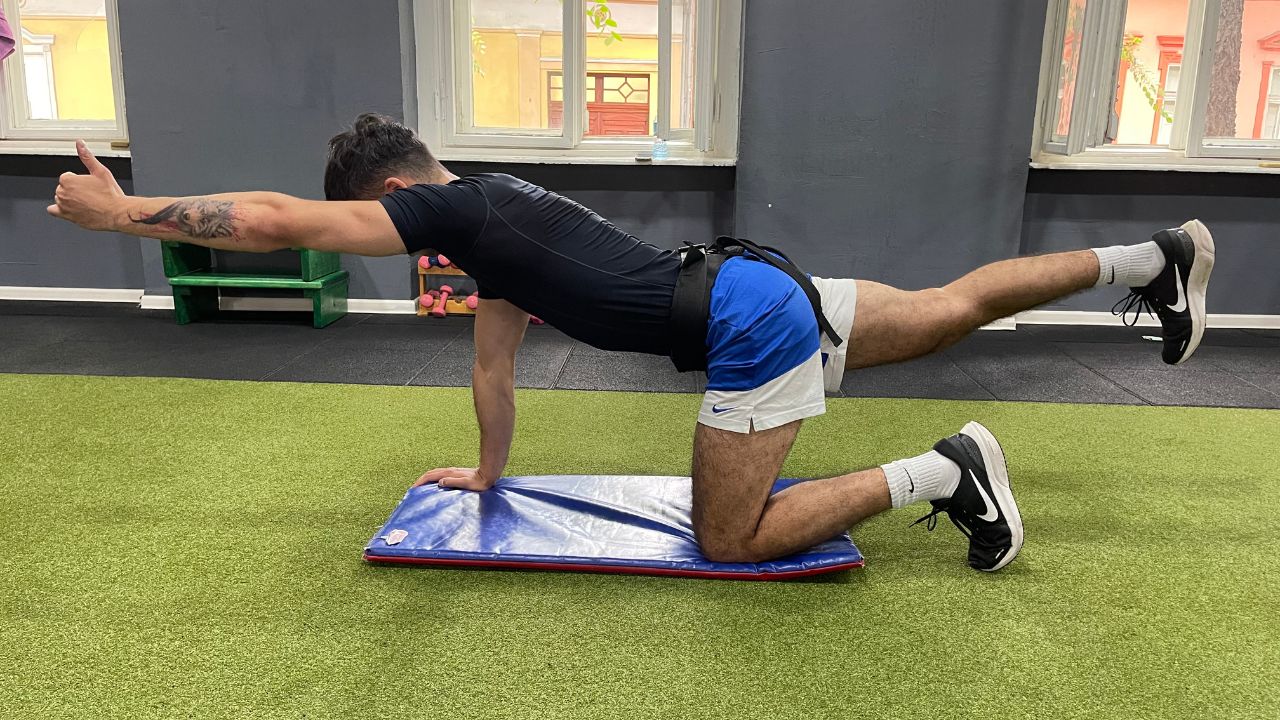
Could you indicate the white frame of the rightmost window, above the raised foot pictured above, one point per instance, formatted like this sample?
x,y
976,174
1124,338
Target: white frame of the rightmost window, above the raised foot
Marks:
x,y
1086,147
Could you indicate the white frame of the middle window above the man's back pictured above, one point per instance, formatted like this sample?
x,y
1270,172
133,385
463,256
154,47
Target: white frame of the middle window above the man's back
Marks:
x,y
445,125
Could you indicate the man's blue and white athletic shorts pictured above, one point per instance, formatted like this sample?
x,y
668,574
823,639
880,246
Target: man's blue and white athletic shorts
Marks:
x,y
765,361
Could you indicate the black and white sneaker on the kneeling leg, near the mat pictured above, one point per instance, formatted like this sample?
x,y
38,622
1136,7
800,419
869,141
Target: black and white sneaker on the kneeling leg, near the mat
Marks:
x,y
982,507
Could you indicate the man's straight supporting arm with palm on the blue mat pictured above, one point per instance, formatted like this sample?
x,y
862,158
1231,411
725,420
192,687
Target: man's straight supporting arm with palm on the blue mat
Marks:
x,y
499,332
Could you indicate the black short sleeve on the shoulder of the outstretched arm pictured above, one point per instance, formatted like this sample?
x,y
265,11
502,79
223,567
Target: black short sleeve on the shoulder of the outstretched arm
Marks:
x,y
446,218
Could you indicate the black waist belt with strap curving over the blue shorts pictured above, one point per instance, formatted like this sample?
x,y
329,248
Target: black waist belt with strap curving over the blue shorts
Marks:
x,y
691,303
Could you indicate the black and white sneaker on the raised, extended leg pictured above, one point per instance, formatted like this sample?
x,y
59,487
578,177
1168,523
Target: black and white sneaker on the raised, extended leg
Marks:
x,y
1177,297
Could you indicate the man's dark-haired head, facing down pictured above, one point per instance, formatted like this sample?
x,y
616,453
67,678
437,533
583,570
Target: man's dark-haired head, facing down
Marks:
x,y
376,157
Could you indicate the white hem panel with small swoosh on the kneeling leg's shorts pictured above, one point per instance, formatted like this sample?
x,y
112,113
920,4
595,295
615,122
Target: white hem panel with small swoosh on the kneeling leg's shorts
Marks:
x,y
792,397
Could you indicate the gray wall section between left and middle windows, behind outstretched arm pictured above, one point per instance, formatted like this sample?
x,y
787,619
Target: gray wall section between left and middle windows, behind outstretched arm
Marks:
x,y
226,97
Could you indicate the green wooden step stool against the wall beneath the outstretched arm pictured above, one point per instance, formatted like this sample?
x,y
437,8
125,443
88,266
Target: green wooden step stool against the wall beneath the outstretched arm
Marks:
x,y
190,270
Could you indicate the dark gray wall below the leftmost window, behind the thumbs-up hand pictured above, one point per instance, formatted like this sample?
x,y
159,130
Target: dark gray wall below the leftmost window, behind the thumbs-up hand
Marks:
x,y
39,250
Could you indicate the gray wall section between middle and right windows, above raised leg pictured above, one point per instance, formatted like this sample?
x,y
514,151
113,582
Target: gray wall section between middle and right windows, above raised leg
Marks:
x,y
889,140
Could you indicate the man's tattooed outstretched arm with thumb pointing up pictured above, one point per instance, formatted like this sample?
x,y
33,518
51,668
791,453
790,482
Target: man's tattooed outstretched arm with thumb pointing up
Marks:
x,y
248,222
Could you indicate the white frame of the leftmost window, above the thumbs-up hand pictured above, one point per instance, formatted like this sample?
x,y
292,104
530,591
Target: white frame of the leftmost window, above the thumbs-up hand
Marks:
x,y
19,134
